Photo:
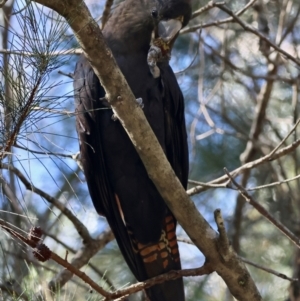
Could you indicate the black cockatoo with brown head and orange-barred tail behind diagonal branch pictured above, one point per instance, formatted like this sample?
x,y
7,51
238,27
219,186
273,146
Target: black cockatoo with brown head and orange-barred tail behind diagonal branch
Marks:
x,y
140,34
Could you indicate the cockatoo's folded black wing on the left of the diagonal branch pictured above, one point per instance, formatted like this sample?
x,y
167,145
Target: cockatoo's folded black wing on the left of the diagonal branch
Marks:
x,y
88,92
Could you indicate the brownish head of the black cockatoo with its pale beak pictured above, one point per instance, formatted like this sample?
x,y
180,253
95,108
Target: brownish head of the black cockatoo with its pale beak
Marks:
x,y
137,24
